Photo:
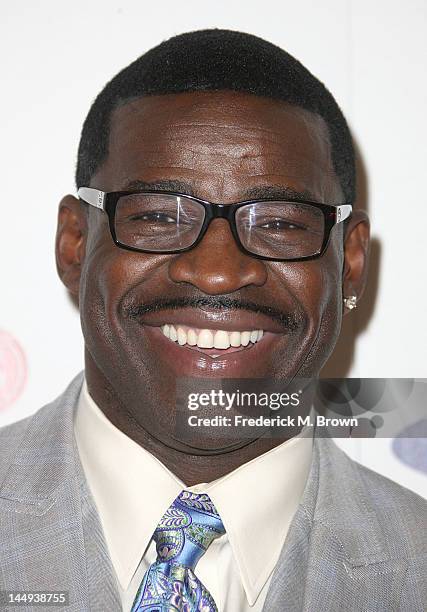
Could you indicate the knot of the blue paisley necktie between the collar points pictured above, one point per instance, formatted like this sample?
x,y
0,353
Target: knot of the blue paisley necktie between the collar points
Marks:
x,y
187,529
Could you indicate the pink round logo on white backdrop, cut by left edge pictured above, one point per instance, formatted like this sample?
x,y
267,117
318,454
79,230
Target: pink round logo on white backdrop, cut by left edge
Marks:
x,y
13,369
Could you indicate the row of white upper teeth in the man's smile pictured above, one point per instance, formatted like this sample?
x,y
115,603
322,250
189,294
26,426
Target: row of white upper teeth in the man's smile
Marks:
x,y
206,338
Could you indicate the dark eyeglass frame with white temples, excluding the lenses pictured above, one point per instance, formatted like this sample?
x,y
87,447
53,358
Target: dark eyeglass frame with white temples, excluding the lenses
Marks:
x,y
107,201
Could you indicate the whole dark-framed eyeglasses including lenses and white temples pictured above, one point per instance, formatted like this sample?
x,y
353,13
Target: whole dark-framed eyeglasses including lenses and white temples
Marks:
x,y
169,222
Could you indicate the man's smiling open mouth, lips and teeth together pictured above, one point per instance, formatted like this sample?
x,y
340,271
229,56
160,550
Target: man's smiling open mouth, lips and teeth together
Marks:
x,y
210,342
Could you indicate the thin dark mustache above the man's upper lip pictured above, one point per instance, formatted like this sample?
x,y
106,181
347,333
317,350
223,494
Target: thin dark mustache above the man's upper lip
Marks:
x,y
289,320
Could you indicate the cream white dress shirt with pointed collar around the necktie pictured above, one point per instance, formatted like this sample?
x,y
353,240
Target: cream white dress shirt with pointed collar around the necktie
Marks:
x,y
132,490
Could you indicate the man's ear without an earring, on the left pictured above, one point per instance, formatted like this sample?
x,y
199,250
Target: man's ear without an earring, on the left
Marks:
x,y
70,242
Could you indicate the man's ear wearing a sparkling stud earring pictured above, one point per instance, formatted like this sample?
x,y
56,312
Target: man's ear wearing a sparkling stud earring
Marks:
x,y
356,255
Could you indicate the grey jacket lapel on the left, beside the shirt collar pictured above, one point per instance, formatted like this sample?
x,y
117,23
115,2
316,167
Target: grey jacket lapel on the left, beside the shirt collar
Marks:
x,y
50,536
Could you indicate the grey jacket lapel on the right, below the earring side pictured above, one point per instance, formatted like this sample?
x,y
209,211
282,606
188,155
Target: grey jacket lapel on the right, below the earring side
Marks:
x,y
335,556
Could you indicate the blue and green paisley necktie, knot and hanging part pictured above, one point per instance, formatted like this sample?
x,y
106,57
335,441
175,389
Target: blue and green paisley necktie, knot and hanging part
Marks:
x,y
183,535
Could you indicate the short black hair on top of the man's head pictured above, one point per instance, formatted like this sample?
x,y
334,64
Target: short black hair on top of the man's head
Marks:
x,y
214,60
